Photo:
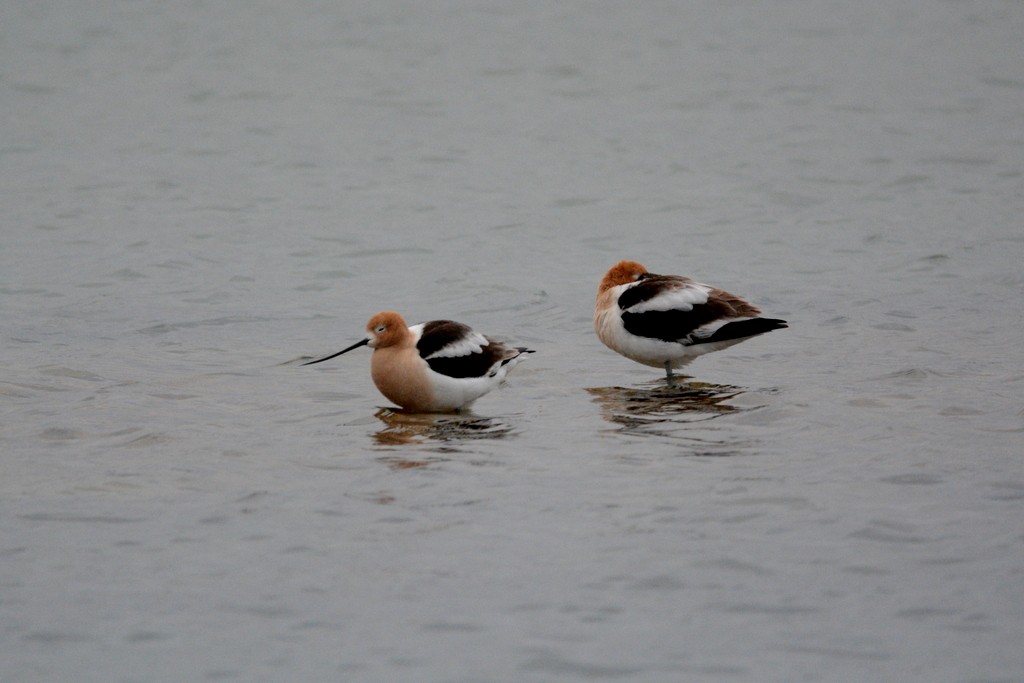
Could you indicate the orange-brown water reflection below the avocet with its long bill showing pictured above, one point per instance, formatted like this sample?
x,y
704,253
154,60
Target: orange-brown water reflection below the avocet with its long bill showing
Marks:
x,y
402,429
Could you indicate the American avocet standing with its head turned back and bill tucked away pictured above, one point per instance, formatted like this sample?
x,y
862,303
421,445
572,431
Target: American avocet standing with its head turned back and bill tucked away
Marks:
x,y
668,321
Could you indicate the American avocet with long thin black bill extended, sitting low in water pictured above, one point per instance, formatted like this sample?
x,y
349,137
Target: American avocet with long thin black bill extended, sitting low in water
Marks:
x,y
436,367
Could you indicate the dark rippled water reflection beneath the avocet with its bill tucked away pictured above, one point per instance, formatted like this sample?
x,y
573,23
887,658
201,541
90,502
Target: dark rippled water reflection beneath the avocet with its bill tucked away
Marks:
x,y
657,402
